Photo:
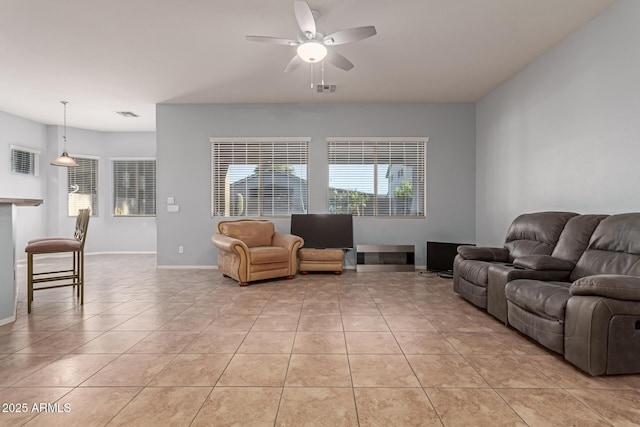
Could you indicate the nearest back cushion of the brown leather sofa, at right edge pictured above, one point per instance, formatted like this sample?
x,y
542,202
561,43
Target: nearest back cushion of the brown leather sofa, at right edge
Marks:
x,y
614,248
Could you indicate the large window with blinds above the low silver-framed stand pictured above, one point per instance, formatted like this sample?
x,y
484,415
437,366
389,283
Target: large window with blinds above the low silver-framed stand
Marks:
x,y
377,176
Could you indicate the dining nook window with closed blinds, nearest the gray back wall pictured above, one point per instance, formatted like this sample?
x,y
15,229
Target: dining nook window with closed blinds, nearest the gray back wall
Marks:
x,y
134,187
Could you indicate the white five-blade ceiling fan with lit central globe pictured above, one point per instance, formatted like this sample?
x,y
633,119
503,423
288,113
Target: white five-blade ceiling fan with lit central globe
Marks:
x,y
312,46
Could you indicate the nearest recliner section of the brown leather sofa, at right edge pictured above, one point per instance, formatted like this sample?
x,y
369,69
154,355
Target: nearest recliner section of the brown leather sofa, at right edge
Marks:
x,y
592,317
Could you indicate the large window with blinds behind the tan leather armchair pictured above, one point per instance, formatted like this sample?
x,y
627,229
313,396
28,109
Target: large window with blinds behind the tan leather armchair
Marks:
x,y
259,176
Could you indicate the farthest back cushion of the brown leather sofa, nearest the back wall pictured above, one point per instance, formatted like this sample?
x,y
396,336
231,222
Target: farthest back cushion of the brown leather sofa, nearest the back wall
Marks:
x,y
535,233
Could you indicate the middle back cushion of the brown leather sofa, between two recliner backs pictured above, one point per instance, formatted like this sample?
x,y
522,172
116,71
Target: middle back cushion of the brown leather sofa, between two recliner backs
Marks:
x,y
575,237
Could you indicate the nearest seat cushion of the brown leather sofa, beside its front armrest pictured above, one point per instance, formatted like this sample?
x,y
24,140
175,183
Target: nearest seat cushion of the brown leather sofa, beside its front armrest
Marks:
x,y
544,299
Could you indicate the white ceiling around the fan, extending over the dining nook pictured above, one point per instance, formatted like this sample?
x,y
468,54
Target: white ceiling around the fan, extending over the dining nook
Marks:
x,y
107,56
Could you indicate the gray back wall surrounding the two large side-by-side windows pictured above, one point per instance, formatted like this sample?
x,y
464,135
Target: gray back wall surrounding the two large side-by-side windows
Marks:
x,y
184,167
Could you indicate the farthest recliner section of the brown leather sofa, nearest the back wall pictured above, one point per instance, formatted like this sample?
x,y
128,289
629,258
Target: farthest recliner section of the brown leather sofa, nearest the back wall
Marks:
x,y
529,234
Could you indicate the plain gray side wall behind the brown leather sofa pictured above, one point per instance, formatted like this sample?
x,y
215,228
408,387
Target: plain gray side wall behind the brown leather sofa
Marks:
x,y
564,133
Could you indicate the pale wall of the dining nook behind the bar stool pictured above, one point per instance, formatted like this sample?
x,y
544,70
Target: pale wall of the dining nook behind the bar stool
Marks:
x,y
106,233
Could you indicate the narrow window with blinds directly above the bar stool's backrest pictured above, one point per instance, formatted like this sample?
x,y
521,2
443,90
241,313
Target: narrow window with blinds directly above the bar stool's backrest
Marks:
x,y
83,185
